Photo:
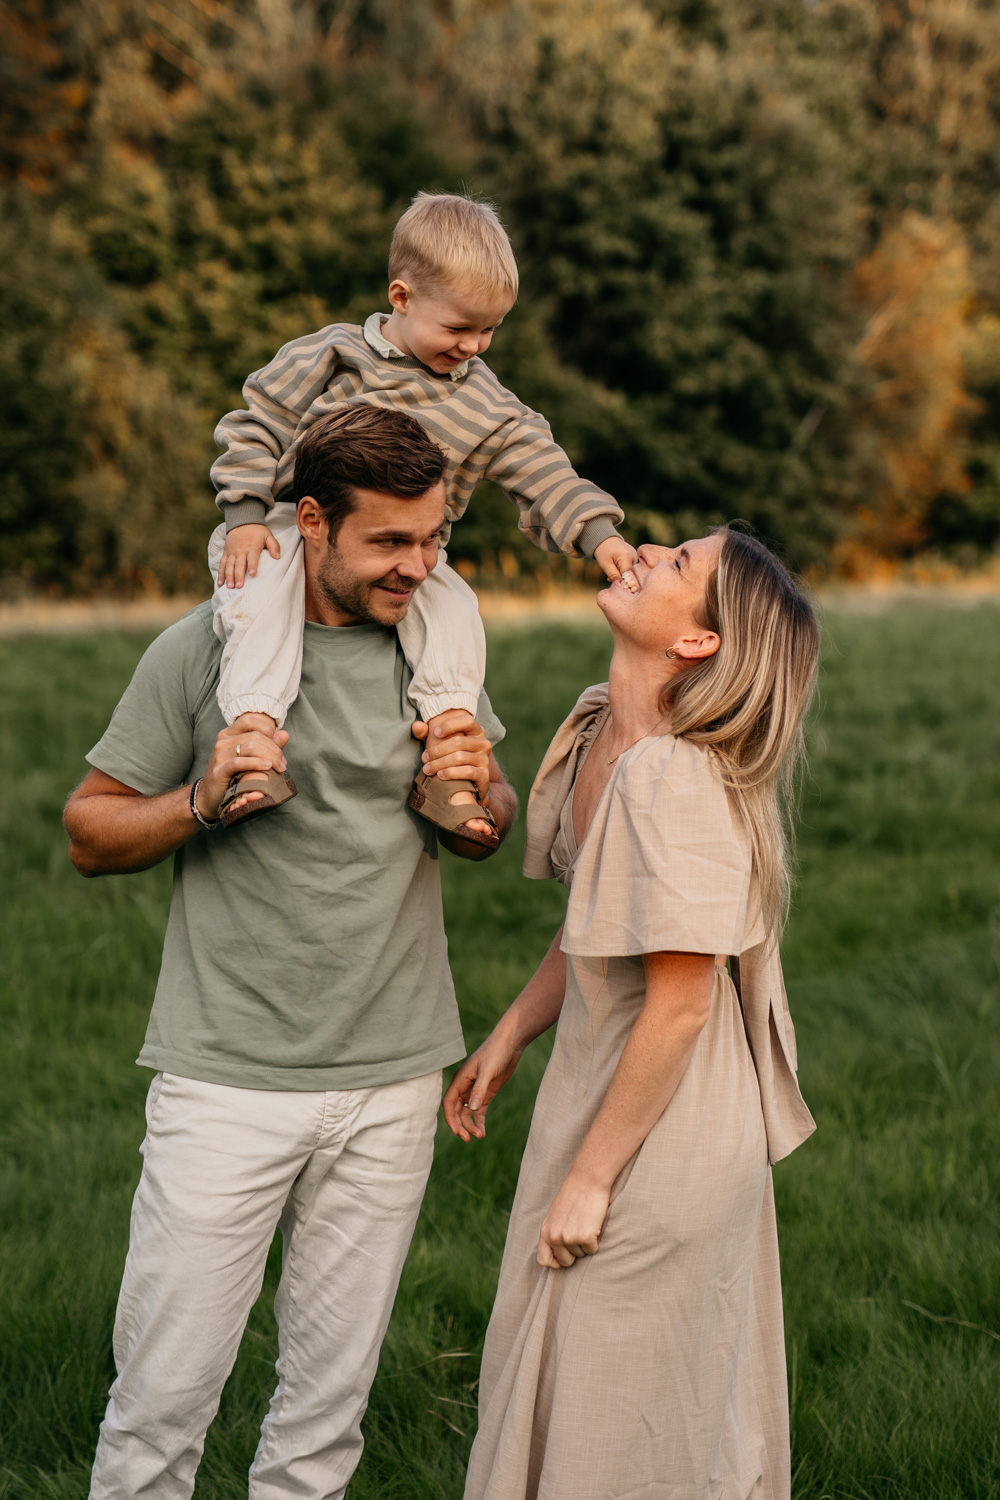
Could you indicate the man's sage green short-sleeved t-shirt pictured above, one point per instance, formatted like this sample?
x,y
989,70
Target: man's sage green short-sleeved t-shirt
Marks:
x,y
305,949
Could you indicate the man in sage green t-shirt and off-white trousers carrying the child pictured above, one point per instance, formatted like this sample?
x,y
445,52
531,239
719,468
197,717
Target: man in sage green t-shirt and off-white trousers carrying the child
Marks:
x,y
305,1006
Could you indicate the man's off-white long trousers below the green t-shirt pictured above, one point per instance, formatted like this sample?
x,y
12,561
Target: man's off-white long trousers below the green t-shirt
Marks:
x,y
344,1174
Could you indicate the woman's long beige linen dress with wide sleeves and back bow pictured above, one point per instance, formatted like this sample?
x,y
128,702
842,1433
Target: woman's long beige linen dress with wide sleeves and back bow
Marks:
x,y
656,1369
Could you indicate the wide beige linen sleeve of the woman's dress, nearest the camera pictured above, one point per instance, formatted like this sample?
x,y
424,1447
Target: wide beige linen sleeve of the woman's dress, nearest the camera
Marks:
x,y
665,866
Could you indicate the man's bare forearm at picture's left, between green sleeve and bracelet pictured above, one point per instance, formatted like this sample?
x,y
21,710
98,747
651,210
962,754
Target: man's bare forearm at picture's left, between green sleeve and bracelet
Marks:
x,y
118,835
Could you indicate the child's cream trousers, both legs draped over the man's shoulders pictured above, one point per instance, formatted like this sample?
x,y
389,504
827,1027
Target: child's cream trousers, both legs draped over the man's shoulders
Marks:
x,y
262,629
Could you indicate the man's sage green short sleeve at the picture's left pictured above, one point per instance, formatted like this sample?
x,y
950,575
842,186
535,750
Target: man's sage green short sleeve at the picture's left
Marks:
x,y
149,743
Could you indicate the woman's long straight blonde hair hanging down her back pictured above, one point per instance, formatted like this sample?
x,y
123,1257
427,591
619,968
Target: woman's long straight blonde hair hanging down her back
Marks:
x,y
747,704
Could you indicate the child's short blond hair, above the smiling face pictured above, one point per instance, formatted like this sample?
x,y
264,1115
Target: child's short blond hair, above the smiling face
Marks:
x,y
451,241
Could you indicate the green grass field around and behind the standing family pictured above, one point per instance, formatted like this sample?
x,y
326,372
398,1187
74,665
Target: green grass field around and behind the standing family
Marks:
x,y
890,1216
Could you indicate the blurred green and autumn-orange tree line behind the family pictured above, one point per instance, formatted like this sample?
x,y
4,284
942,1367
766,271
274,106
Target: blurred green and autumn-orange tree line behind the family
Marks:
x,y
759,247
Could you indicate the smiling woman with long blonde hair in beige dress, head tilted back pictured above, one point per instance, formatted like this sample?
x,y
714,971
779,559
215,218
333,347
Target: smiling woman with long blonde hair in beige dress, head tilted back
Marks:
x,y
636,1345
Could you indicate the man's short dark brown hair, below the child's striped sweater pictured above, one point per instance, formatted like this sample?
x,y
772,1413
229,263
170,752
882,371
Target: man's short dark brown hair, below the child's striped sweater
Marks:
x,y
367,448
